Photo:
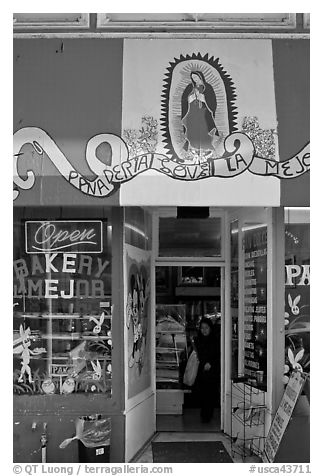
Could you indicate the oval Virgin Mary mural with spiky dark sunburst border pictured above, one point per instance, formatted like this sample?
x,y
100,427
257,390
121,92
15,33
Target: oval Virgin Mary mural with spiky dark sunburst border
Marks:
x,y
198,110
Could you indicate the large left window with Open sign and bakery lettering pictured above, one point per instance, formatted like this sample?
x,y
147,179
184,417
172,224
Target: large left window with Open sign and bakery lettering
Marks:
x,y
61,303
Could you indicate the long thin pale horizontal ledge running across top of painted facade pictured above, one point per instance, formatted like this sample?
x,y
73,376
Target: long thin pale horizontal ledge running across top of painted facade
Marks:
x,y
163,35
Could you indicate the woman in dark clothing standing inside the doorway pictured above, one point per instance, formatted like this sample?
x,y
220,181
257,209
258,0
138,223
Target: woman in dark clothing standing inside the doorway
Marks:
x,y
207,344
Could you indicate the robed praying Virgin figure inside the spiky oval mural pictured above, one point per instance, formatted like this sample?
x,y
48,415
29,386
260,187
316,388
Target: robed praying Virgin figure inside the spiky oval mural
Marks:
x,y
198,106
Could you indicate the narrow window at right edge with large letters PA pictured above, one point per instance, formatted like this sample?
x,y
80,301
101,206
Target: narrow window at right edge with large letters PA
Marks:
x,y
297,296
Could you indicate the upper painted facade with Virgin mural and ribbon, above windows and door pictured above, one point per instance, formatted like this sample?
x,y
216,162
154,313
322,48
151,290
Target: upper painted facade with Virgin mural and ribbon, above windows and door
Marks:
x,y
141,138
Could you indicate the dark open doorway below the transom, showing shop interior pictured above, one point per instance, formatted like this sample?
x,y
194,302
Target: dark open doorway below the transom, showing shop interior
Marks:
x,y
185,295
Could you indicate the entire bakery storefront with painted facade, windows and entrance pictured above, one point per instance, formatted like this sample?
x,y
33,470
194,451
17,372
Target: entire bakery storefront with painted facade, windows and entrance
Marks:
x,y
156,182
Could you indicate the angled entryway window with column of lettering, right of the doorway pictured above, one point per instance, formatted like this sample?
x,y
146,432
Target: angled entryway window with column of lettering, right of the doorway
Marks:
x,y
249,297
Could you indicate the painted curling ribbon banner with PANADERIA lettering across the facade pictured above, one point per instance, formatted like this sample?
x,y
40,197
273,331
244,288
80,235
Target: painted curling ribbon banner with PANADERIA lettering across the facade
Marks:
x,y
238,158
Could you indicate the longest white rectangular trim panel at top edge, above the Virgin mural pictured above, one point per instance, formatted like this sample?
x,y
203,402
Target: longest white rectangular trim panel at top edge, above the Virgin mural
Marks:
x,y
287,21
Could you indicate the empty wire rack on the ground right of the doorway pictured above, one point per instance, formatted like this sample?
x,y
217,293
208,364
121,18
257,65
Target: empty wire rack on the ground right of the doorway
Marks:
x,y
248,415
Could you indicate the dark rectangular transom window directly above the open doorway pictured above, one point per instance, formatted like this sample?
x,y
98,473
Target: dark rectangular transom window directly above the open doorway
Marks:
x,y
179,237
